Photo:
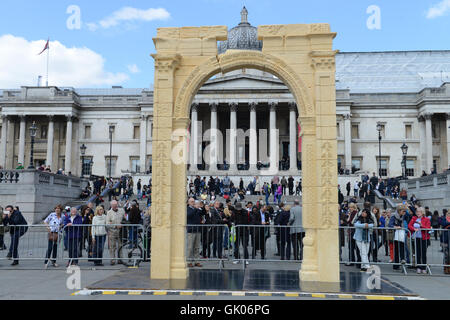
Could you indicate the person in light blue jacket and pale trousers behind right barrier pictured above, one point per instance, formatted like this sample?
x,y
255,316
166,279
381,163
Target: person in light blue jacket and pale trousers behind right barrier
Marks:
x,y
363,233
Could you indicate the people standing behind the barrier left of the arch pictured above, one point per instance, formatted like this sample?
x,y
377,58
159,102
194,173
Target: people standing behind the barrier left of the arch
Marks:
x,y
84,230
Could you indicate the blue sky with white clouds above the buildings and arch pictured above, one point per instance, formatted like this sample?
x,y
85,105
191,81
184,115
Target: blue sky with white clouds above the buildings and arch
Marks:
x,y
99,44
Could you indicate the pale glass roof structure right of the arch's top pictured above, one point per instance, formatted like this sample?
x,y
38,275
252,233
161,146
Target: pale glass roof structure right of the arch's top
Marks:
x,y
401,71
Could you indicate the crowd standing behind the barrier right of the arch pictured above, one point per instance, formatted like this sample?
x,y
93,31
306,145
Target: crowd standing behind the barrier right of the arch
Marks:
x,y
404,233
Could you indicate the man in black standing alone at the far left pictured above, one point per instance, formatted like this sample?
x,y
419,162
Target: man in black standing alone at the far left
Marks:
x,y
18,227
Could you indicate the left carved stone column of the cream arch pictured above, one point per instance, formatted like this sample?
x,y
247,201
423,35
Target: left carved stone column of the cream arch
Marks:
x,y
168,256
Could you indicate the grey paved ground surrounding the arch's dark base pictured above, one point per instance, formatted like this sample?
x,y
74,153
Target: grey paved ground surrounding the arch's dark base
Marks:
x,y
31,281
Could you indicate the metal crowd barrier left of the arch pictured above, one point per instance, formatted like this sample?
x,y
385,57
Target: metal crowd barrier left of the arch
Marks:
x,y
127,244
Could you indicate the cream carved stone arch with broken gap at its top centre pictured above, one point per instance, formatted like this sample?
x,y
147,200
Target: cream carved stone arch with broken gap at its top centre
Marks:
x,y
301,56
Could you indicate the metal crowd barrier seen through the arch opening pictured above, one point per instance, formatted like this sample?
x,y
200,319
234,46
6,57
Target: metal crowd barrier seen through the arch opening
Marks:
x,y
243,243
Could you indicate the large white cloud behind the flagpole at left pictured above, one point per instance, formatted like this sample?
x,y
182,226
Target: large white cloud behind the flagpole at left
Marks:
x,y
20,65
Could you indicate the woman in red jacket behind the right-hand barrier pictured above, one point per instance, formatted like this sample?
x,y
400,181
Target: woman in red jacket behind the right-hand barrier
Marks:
x,y
420,226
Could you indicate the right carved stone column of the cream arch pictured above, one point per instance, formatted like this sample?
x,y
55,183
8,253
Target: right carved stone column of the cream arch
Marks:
x,y
321,260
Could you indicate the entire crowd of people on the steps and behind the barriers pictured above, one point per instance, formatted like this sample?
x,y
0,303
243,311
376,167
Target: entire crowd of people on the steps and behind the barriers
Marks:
x,y
241,227
